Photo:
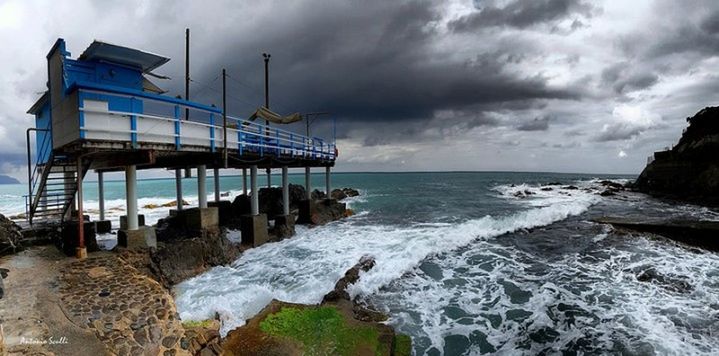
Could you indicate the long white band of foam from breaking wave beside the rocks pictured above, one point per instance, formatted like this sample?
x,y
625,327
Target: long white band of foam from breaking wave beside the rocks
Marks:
x,y
304,268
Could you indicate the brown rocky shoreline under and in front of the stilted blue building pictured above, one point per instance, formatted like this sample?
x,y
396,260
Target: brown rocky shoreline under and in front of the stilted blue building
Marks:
x,y
123,297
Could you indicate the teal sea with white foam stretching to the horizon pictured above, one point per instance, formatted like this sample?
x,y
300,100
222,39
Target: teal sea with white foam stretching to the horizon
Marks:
x,y
469,263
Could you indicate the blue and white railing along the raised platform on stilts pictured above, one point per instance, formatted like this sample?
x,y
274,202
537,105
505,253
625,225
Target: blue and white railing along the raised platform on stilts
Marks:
x,y
203,128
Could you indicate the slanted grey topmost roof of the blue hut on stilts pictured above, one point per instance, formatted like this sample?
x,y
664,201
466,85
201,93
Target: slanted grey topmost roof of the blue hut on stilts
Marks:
x,y
103,51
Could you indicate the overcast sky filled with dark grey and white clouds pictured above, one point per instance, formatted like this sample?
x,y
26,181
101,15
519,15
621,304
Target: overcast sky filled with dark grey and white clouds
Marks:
x,y
485,85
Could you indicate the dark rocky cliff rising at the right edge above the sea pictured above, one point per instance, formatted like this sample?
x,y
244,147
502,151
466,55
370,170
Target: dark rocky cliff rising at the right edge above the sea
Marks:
x,y
690,170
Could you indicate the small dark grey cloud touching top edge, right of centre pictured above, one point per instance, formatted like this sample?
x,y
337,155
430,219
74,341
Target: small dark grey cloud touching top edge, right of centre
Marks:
x,y
522,14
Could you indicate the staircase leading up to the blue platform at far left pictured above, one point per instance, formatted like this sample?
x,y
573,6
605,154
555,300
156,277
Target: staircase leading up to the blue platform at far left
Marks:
x,y
53,188
